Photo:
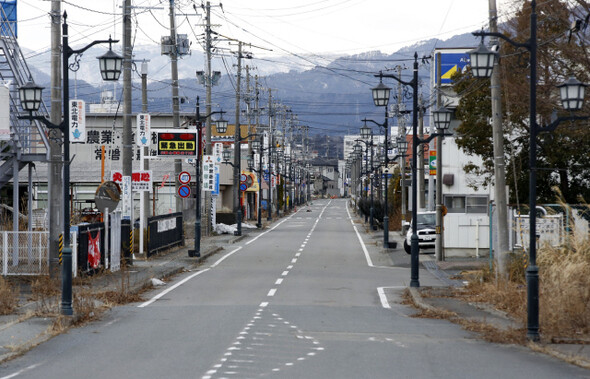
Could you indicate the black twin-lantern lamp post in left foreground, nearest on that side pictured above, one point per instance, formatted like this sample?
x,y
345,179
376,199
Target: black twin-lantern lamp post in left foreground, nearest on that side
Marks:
x,y
30,97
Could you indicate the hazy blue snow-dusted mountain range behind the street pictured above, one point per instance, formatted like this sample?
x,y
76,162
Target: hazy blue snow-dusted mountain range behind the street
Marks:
x,y
331,95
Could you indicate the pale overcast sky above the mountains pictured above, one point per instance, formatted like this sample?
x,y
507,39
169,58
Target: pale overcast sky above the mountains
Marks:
x,y
295,26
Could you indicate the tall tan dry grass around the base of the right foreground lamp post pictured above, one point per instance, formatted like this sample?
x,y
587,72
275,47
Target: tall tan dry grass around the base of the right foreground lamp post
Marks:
x,y
564,290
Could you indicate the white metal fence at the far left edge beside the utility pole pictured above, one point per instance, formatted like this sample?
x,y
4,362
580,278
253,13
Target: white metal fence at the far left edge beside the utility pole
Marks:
x,y
24,253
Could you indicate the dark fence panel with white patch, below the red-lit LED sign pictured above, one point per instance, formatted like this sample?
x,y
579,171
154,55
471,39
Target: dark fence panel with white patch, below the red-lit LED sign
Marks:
x,y
164,232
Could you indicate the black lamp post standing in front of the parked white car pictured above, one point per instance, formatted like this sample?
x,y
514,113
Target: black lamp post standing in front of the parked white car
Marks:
x,y
416,141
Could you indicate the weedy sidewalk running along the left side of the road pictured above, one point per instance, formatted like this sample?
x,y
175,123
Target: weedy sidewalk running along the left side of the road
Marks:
x,y
24,330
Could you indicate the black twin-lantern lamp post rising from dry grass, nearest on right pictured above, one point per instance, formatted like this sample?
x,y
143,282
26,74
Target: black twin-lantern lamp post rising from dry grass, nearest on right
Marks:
x,y
572,98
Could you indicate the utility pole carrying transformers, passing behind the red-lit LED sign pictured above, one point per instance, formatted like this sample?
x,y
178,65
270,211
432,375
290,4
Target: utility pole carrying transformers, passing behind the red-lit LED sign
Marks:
x,y
175,100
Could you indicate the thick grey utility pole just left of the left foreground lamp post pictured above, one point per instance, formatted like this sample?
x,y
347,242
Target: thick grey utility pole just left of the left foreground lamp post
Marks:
x,y
55,158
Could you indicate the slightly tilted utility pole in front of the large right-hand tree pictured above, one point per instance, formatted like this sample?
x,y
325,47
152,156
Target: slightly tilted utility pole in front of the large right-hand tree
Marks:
x,y
503,248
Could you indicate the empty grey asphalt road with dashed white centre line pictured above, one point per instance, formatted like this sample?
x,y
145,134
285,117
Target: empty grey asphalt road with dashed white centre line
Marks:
x,y
305,299
